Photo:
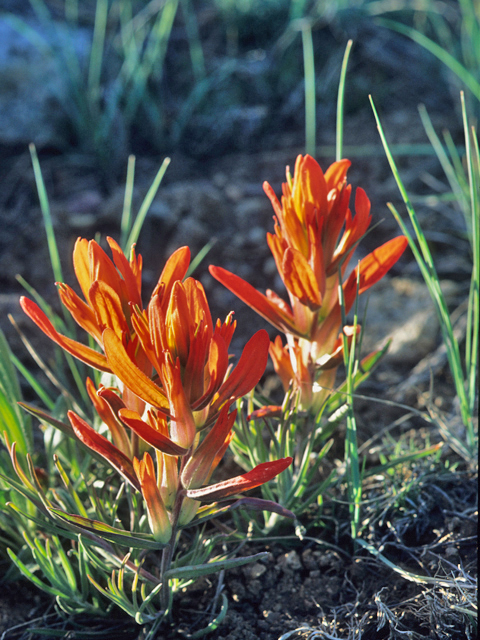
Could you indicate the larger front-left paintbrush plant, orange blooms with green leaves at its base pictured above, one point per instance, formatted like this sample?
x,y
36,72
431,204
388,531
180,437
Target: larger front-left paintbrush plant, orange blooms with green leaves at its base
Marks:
x,y
167,407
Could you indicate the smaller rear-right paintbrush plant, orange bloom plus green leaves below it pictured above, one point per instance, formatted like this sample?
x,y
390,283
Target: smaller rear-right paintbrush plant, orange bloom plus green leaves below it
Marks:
x,y
315,236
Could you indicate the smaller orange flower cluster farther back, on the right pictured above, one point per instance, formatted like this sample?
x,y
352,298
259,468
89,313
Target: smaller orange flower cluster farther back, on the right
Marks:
x,y
315,237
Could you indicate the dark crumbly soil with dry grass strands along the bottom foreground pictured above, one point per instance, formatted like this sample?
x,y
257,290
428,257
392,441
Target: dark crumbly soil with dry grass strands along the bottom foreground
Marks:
x,y
320,584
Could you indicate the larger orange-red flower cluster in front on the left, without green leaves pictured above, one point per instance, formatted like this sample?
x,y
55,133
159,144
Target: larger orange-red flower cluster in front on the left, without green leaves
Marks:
x,y
176,386
